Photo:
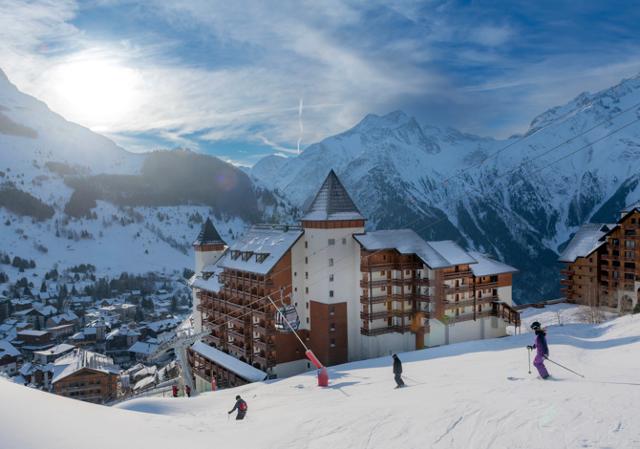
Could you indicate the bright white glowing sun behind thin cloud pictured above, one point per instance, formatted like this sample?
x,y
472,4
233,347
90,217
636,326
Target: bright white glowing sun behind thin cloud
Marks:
x,y
96,92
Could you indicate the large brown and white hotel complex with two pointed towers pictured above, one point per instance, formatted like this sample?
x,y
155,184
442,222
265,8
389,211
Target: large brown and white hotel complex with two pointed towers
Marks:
x,y
353,294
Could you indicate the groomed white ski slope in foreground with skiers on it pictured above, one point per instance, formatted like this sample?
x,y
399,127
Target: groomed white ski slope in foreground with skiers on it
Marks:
x,y
459,396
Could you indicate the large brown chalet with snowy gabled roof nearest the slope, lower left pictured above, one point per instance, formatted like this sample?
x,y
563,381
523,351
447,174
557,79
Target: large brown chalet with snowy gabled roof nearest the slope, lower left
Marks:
x,y
85,375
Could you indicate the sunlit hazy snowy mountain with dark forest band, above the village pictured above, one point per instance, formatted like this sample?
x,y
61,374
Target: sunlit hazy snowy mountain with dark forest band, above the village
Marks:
x,y
70,196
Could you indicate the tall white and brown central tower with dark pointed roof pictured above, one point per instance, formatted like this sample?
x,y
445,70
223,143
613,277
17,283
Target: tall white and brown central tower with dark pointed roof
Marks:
x,y
332,272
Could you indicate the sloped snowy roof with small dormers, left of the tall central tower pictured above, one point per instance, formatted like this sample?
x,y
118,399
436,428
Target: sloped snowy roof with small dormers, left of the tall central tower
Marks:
x,y
260,249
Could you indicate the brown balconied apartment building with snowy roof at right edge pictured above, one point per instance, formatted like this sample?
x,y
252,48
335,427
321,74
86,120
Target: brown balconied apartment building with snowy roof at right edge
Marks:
x,y
601,263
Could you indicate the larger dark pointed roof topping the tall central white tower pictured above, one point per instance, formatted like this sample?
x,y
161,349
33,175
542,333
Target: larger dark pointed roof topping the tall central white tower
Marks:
x,y
332,203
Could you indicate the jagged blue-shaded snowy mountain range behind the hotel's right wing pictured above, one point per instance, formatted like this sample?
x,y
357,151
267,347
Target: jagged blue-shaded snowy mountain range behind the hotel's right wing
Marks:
x,y
509,198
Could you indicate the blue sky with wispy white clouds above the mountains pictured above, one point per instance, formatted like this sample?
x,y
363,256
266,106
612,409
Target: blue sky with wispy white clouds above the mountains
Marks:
x,y
245,79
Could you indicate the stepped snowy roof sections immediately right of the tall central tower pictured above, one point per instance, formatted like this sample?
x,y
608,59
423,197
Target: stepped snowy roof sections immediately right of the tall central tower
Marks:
x,y
406,241
